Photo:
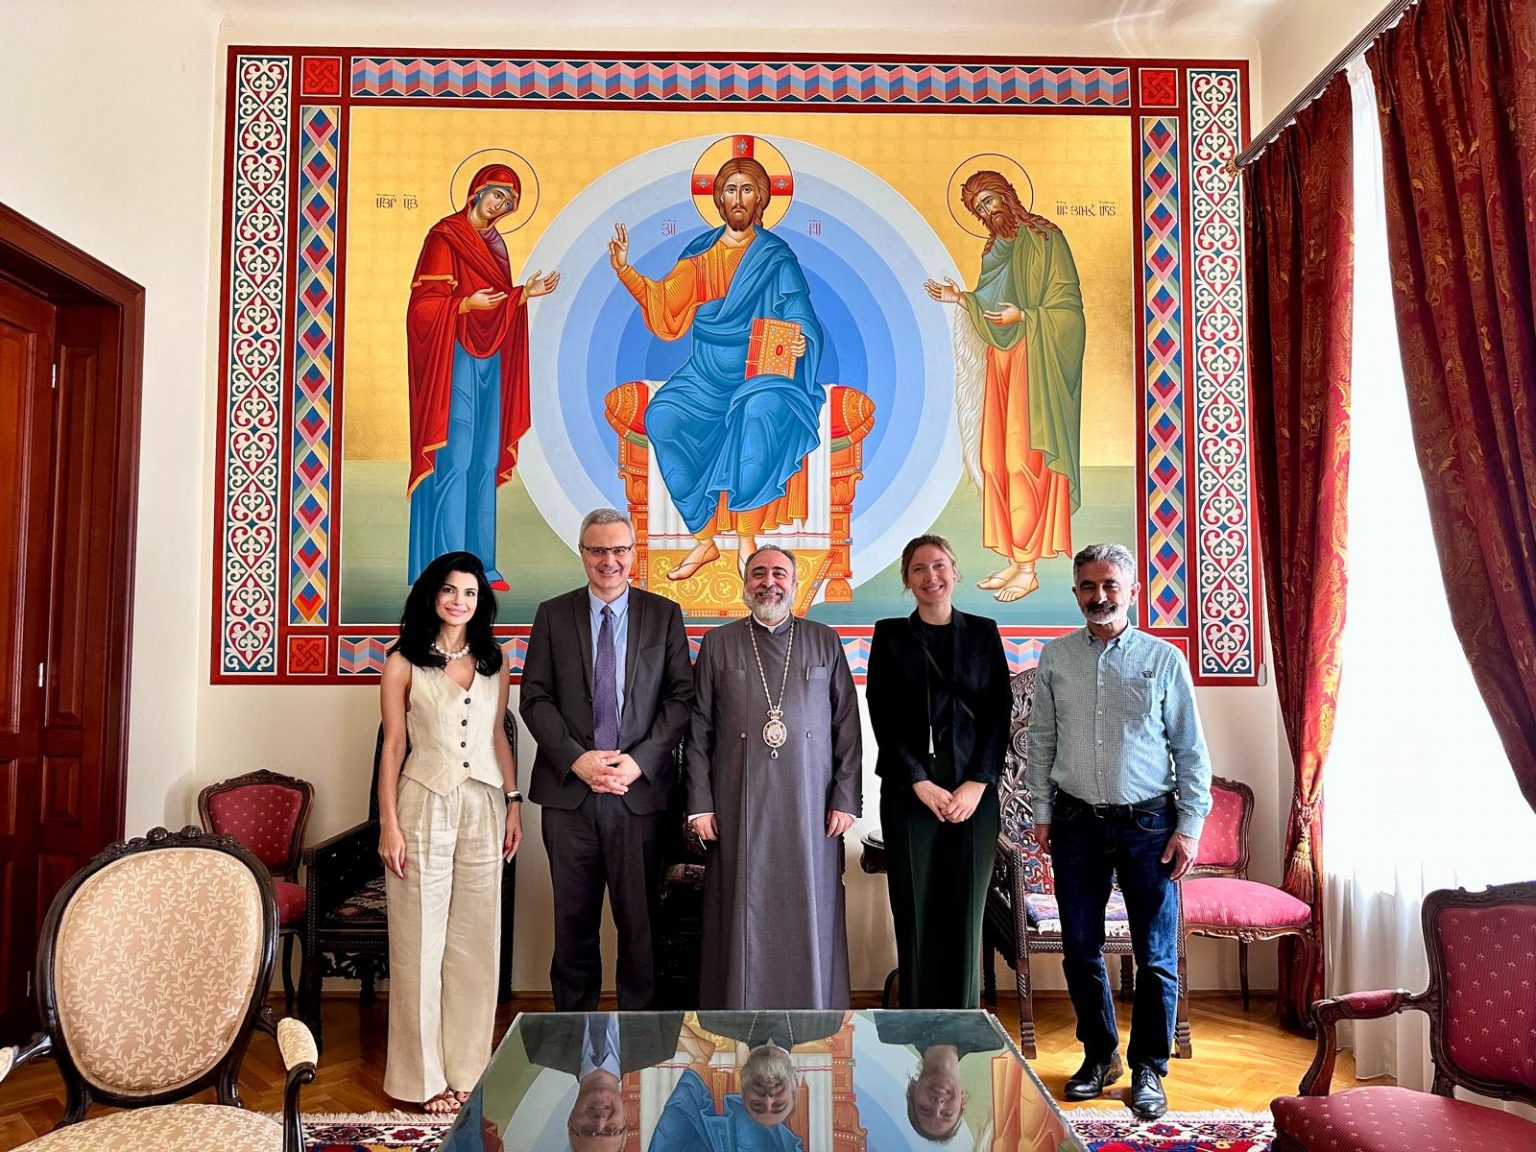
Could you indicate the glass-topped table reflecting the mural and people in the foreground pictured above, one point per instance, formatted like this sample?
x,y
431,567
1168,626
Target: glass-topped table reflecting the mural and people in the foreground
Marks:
x,y
783,1082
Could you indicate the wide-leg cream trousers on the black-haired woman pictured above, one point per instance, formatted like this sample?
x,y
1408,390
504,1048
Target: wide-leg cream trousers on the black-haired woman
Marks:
x,y
445,929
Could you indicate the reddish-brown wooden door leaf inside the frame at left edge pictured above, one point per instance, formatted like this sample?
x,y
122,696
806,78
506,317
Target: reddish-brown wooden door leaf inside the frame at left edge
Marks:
x,y
27,415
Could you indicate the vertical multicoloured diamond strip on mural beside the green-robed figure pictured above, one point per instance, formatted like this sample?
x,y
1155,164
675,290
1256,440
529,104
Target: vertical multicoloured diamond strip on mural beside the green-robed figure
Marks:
x,y
1164,291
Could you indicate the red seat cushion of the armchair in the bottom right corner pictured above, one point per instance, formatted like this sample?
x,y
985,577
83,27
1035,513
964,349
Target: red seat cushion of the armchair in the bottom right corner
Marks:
x,y
1400,1119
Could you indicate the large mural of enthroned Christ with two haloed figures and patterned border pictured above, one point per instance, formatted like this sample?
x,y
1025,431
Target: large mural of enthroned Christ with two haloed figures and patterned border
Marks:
x,y
824,305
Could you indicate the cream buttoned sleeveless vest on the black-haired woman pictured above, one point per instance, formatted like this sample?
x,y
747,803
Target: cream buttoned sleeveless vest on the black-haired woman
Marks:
x,y
451,732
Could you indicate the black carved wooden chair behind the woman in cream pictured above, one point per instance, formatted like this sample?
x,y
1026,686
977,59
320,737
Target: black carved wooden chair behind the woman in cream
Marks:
x,y
346,927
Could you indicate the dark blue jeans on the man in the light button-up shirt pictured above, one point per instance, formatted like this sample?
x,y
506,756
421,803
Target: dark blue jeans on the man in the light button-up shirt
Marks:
x,y
1090,849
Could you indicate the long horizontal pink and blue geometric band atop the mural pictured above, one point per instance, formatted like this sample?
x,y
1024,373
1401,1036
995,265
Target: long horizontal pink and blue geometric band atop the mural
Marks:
x,y
727,82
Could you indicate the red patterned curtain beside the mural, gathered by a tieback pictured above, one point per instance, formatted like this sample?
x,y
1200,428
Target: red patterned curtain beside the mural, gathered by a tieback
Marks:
x,y
1302,274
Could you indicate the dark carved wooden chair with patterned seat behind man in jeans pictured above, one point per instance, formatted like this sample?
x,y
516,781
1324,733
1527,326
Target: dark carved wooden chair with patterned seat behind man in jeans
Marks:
x,y
1021,918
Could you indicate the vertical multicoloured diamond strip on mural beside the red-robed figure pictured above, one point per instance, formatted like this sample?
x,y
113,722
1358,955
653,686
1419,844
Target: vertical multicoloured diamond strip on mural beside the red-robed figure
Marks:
x,y
314,340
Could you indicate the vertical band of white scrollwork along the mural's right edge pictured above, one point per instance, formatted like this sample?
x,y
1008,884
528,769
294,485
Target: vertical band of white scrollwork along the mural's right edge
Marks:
x,y
1228,635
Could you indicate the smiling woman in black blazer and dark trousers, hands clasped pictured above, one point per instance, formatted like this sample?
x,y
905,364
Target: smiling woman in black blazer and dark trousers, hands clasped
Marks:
x,y
939,703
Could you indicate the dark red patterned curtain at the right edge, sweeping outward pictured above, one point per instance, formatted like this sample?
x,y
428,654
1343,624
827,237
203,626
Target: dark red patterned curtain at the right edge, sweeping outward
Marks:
x,y
1457,90
